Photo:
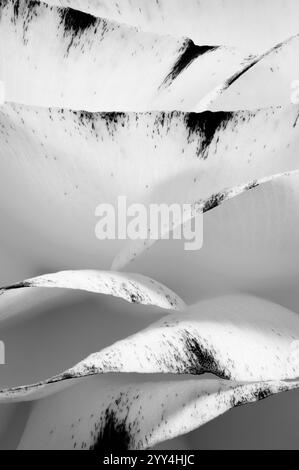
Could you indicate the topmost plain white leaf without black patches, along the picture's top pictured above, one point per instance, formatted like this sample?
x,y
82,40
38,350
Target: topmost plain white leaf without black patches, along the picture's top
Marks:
x,y
241,23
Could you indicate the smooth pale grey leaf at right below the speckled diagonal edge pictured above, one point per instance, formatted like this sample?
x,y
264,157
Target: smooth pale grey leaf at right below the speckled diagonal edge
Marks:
x,y
250,243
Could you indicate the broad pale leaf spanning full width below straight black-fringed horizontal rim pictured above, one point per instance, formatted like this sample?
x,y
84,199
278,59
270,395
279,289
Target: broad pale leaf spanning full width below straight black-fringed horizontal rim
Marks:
x,y
63,164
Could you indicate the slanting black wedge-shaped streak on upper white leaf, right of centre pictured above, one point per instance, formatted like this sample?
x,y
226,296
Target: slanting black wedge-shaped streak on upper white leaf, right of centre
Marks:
x,y
189,52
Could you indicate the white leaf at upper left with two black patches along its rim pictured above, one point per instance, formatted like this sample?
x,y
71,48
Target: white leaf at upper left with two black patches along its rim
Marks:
x,y
65,58
